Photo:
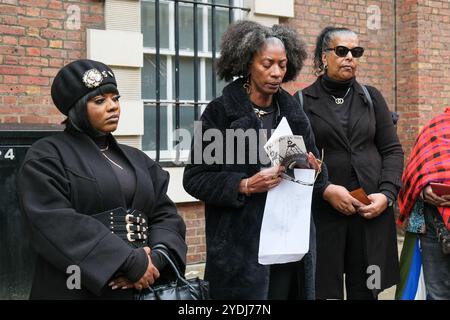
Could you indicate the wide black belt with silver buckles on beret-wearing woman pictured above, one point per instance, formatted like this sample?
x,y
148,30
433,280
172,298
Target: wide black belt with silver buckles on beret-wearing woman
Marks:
x,y
130,225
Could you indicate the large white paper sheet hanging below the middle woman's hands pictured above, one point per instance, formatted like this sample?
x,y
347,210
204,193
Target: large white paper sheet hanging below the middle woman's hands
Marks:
x,y
285,227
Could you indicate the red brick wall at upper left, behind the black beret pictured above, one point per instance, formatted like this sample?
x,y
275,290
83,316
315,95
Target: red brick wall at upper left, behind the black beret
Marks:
x,y
35,41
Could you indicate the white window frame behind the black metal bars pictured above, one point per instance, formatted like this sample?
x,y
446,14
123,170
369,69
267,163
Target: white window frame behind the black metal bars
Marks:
x,y
169,54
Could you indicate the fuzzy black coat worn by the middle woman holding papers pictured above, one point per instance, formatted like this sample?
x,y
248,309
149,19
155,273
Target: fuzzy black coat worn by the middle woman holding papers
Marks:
x,y
233,221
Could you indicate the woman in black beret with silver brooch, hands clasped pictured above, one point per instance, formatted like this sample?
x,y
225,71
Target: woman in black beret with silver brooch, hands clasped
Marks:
x,y
92,204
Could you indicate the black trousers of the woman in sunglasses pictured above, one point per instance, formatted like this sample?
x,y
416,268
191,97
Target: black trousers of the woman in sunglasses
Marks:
x,y
349,257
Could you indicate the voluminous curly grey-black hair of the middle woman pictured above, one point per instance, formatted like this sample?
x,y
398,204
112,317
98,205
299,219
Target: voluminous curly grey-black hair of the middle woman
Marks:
x,y
244,38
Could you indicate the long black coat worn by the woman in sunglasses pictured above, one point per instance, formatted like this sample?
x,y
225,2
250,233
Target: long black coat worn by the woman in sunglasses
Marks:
x,y
373,149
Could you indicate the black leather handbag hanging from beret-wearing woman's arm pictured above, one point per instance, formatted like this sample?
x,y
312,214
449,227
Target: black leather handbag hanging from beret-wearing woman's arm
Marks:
x,y
180,289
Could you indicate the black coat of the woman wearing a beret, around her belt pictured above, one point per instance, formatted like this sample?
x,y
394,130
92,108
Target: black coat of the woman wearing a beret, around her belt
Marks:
x,y
63,181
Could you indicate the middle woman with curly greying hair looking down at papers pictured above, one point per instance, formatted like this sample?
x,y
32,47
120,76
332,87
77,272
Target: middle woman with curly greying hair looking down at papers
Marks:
x,y
261,58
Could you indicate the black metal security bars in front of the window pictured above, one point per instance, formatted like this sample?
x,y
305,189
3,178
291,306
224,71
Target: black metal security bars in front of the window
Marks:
x,y
176,100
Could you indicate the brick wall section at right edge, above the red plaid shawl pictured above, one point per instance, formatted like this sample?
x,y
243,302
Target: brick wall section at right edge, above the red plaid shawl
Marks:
x,y
429,63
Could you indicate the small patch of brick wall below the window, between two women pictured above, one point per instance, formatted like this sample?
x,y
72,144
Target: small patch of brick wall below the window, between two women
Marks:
x,y
194,215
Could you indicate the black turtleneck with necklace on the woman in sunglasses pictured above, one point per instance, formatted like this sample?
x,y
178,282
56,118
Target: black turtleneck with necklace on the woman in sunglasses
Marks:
x,y
339,89
